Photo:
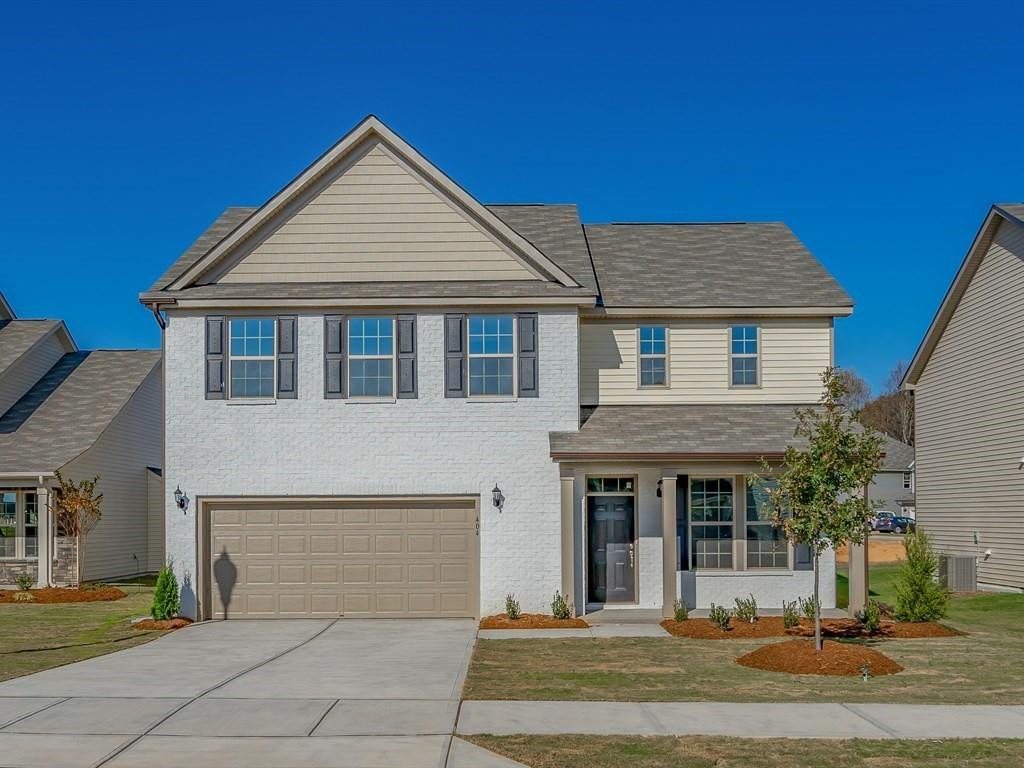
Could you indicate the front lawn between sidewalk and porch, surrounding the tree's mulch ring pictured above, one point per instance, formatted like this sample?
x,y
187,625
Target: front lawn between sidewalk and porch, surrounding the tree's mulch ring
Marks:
x,y
984,667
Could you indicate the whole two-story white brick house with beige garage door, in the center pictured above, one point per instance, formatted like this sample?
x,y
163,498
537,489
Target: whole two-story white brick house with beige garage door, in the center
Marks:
x,y
385,399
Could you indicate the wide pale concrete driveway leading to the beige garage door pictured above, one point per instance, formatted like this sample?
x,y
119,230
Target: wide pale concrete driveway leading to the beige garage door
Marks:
x,y
250,695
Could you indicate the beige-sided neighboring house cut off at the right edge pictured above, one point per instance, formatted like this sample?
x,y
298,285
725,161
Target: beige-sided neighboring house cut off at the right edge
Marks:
x,y
969,432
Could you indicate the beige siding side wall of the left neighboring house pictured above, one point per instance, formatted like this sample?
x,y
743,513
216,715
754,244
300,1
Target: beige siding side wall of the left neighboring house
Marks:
x,y
132,443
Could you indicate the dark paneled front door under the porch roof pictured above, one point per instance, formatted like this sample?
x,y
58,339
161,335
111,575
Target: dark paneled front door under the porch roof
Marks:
x,y
611,525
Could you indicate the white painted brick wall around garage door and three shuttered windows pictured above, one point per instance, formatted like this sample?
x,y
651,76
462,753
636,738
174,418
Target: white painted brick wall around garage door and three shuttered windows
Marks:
x,y
433,445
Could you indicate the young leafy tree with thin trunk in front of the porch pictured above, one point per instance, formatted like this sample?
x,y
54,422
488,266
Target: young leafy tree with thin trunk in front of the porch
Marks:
x,y
820,499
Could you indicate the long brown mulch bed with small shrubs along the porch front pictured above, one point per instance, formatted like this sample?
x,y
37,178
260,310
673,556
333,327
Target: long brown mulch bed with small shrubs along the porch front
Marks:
x,y
703,629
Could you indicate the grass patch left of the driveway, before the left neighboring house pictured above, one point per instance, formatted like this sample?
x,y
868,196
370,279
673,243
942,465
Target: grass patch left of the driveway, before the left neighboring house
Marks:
x,y
34,638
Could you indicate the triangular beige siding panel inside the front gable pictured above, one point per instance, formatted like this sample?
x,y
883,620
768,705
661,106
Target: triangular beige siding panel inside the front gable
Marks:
x,y
376,221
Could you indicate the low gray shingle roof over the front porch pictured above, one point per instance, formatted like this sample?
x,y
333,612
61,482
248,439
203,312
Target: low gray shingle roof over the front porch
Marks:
x,y
678,433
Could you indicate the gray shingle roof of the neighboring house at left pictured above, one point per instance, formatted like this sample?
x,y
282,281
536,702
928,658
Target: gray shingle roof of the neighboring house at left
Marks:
x,y
67,410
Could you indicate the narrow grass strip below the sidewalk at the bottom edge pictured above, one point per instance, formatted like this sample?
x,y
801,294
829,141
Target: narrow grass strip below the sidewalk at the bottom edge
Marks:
x,y
698,752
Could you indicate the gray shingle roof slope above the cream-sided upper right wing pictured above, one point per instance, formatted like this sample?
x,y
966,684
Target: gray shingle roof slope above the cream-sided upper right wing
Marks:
x,y
737,265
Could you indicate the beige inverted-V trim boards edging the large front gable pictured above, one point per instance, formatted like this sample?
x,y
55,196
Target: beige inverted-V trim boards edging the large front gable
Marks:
x,y
371,130
